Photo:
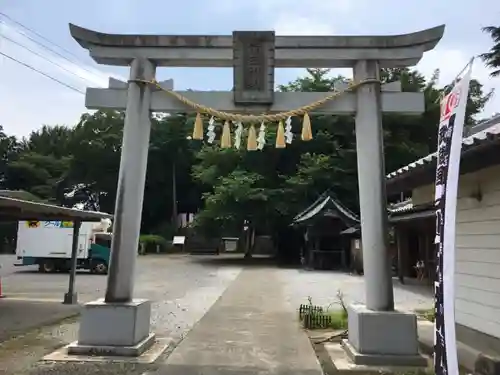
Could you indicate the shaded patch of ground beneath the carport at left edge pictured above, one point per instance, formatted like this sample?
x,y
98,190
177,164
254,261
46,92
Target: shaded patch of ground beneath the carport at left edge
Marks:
x,y
19,316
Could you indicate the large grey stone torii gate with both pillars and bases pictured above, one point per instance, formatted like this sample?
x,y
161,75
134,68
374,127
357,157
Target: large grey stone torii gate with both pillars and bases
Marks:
x,y
377,333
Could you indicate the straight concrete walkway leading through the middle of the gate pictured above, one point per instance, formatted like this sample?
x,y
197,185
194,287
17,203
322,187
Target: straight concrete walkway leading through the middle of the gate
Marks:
x,y
251,329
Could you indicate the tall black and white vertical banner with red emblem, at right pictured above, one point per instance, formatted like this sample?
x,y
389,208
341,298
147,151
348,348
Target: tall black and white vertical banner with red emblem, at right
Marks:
x,y
451,126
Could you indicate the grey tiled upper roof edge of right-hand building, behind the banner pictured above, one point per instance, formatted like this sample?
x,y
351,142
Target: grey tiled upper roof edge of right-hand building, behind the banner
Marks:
x,y
482,137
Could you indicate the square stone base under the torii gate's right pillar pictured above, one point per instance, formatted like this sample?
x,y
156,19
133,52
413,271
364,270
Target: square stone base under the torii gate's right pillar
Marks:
x,y
382,338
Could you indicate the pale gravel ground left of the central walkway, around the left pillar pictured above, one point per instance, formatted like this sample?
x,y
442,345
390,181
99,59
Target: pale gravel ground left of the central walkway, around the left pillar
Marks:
x,y
181,289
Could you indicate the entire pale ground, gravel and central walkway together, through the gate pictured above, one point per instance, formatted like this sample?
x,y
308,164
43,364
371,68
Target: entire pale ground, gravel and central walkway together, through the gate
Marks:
x,y
253,323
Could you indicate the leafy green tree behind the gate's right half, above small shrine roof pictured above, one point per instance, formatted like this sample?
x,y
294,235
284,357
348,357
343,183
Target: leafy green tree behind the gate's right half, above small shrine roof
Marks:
x,y
269,187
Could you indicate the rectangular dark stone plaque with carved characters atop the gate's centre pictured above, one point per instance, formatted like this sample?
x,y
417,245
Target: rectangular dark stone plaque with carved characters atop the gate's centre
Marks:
x,y
253,63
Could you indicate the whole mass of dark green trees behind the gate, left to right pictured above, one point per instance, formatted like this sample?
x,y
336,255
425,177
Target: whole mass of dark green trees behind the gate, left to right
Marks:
x,y
223,187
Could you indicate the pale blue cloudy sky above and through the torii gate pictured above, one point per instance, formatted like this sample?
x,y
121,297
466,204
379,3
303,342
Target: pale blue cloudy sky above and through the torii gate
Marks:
x,y
29,100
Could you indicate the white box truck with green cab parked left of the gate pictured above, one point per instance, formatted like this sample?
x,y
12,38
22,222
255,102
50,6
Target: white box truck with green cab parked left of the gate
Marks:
x,y
48,245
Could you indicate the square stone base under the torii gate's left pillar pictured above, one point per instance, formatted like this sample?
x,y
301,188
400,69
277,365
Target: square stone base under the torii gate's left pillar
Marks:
x,y
120,329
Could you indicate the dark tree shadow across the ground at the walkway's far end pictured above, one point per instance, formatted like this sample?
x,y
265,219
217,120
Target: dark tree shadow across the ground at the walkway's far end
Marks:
x,y
238,260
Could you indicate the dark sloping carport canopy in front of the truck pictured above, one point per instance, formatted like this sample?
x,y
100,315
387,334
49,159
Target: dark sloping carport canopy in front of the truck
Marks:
x,y
12,209
